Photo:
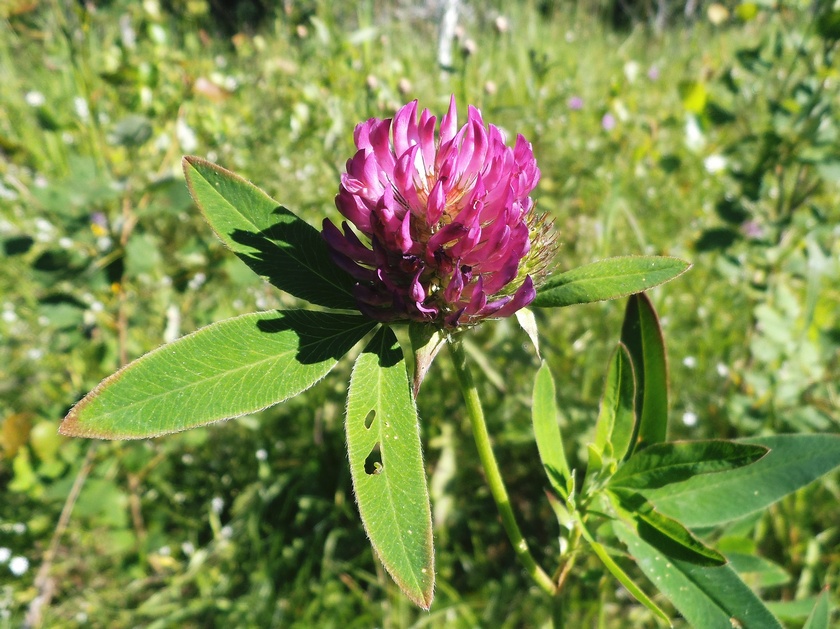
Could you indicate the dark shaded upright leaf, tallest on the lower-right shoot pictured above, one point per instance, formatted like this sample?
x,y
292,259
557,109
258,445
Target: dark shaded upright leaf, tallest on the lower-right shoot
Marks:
x,y
642,336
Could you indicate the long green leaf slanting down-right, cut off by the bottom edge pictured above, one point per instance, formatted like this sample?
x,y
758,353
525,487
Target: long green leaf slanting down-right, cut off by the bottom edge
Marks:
x,y
708,597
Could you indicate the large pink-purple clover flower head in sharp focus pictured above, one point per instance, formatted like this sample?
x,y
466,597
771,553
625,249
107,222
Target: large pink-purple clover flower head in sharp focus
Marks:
x,y
446,223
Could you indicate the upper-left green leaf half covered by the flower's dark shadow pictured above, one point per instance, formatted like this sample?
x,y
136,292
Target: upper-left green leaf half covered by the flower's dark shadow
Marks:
x,y
270,239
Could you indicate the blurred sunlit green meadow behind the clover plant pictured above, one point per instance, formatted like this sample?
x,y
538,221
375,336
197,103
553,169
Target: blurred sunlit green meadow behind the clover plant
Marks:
x,y
704,131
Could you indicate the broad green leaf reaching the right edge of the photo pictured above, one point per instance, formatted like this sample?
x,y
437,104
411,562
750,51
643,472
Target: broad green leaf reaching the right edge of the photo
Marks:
x,y
793,462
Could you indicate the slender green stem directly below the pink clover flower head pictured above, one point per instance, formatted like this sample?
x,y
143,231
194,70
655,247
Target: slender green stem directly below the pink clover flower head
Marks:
x,y
491,468
